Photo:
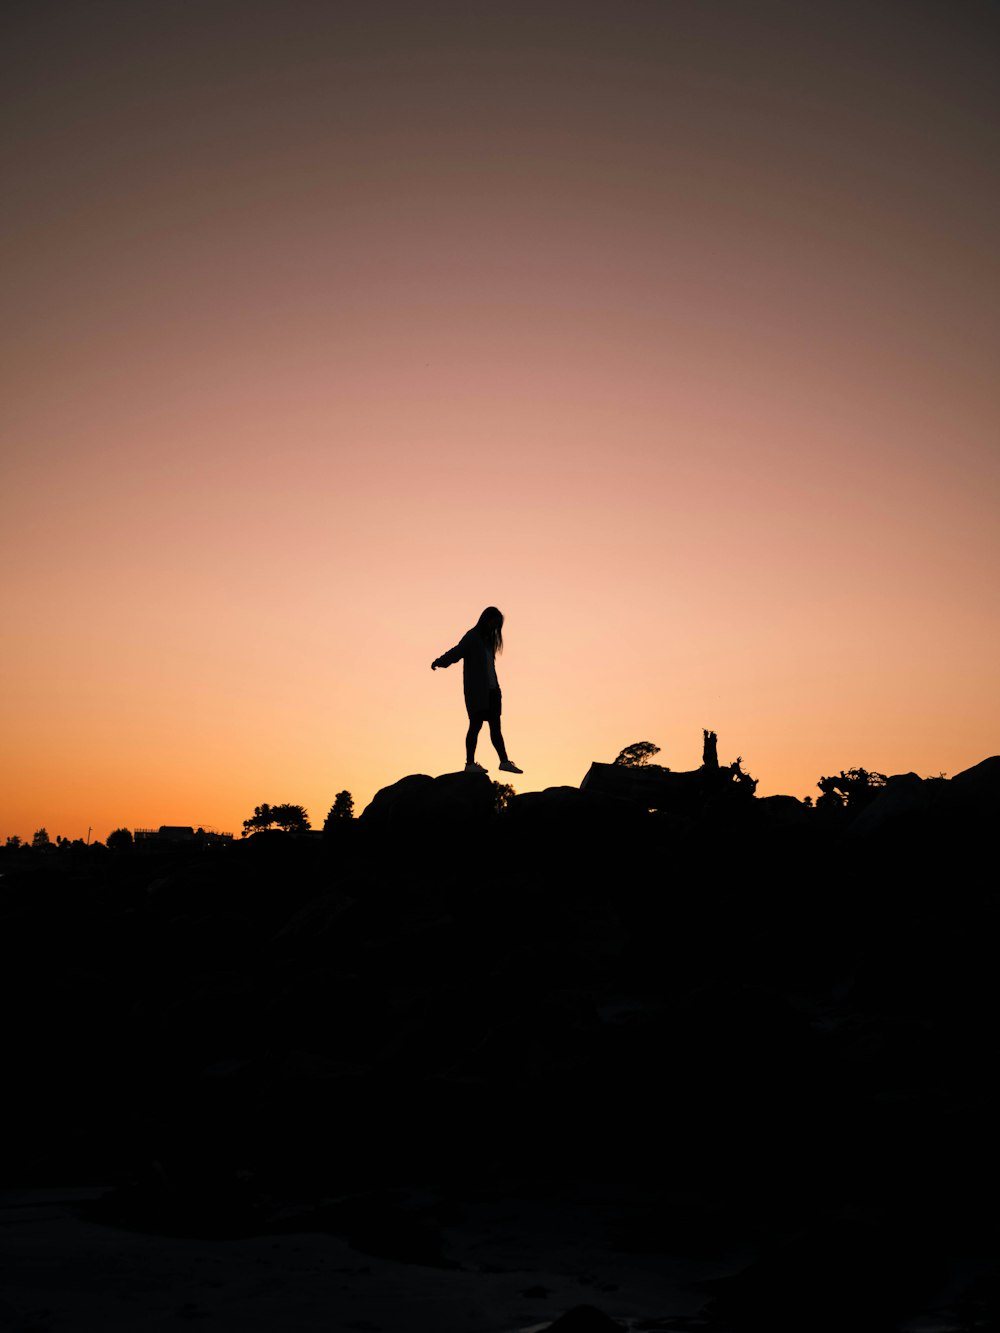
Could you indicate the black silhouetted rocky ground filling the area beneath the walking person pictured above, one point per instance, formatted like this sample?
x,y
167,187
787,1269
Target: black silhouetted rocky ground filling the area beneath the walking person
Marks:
x,y
450,1071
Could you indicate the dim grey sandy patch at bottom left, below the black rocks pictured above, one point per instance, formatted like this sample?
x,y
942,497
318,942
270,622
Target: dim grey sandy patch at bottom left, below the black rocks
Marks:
x,y
517,1263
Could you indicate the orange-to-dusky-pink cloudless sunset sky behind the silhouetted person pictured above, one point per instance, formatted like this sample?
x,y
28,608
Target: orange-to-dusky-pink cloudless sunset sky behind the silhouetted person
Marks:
x,y
671,329
